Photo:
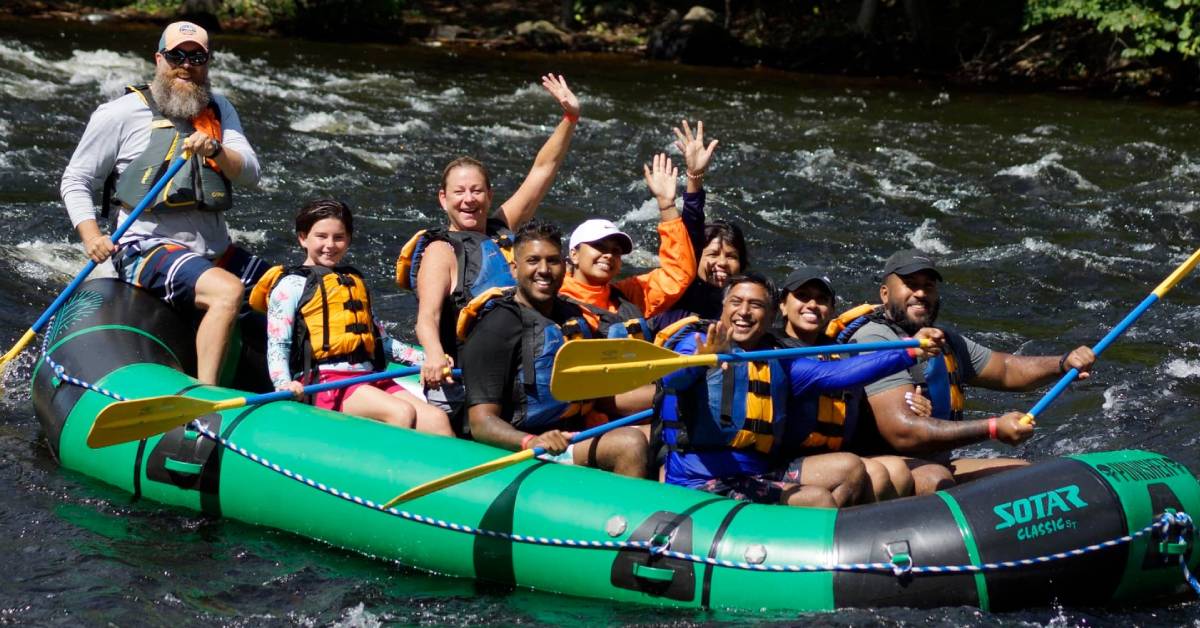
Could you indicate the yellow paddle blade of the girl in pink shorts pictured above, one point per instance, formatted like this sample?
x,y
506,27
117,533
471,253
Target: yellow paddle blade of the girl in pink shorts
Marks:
x,y
142,418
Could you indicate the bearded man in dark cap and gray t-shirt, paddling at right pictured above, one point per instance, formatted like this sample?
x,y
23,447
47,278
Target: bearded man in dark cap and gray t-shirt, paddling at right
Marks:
x,y
910,298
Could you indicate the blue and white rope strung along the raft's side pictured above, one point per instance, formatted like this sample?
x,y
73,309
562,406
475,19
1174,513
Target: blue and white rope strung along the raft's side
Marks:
x,y
1168,525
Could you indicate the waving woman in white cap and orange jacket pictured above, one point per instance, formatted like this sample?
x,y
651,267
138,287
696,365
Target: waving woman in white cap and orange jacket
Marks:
x,y
596,254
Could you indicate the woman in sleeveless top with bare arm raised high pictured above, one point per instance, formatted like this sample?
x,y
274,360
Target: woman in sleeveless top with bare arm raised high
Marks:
x,y
449,266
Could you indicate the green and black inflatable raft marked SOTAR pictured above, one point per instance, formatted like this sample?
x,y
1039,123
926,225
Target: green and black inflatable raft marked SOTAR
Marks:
x,y
1083,530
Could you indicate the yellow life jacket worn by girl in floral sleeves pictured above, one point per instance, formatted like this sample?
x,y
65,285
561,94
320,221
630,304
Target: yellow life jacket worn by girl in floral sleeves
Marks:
x,y
334,321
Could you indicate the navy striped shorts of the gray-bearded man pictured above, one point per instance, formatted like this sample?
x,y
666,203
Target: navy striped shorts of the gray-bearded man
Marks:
x,y
171,272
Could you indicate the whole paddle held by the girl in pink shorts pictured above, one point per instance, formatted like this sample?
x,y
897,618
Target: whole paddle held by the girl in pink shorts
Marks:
x,y
142,418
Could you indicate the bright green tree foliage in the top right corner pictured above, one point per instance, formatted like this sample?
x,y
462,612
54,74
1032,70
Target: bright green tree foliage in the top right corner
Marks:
x,y
1144,27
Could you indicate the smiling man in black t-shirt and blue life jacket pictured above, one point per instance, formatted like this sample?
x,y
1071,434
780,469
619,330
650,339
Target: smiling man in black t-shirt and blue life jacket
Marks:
x,y
508,358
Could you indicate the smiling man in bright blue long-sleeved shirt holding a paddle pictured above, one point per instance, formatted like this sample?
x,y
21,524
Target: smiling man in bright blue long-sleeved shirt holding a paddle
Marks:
x,y
723,427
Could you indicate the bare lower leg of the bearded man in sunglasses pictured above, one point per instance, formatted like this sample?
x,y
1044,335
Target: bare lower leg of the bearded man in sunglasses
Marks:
x,y
219,294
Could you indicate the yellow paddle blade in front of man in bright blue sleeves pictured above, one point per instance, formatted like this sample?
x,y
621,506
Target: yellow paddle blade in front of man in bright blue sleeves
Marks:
x,y
591,369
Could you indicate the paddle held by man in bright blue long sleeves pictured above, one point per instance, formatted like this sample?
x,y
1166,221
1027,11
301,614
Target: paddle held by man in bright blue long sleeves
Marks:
x,y
590,369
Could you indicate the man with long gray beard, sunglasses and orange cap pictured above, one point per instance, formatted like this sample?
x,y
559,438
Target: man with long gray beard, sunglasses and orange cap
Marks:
x,y
181,248
